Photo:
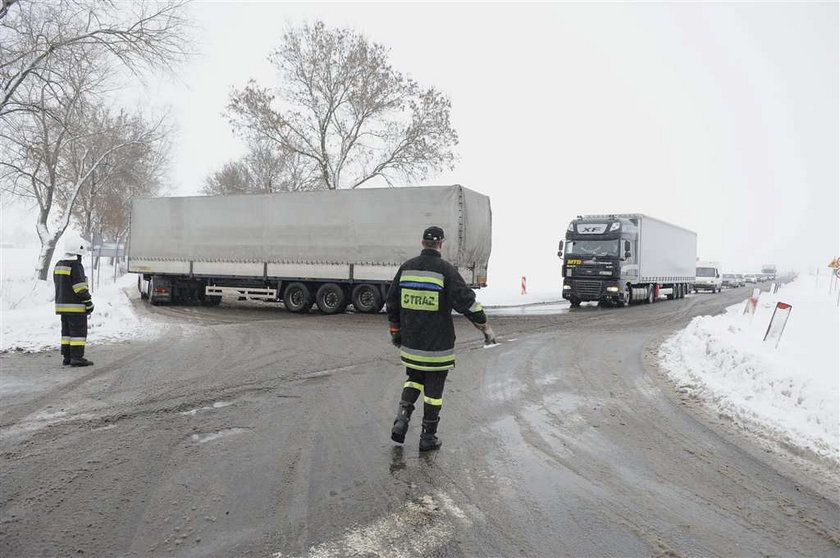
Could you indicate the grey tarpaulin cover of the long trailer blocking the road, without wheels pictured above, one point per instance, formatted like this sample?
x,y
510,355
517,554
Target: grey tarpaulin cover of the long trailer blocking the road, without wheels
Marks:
x,y
365,226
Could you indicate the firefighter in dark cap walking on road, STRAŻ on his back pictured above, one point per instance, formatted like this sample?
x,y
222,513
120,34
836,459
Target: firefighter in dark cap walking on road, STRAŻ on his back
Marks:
x,y
420,301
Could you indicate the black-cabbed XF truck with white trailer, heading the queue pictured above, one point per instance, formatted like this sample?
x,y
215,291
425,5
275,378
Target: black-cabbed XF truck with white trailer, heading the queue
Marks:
x,y
624,258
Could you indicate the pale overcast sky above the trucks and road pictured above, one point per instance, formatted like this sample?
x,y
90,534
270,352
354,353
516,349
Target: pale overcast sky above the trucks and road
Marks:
x,y
722,118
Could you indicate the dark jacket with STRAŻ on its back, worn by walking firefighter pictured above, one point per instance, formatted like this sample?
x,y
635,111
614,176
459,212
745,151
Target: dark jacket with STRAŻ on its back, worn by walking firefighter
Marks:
x,y
420,301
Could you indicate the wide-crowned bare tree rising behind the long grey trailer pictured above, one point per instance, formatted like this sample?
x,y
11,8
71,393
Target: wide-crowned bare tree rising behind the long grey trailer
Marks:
x,y
345,111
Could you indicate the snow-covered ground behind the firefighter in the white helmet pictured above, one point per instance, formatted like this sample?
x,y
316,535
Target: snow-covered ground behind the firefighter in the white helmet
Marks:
x,y
27,315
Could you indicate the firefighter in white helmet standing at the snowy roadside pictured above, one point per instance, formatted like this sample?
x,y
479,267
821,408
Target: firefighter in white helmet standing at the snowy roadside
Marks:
x,y
72,301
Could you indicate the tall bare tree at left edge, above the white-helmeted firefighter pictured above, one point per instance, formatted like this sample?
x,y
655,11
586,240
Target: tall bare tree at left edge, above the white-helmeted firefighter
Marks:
x,y
58,60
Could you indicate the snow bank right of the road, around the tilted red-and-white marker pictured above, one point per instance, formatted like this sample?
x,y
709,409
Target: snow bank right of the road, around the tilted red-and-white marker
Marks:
x,y
791,392
